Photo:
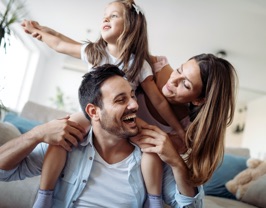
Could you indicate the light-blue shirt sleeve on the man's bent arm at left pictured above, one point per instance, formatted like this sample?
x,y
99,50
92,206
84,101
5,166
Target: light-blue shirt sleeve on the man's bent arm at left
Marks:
x,y
29,167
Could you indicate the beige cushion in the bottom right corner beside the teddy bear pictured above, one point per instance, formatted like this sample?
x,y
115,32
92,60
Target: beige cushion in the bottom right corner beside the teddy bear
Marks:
x,y
256,193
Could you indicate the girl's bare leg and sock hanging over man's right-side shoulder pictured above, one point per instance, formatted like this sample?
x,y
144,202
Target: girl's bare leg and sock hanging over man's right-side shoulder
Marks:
x,y
152,171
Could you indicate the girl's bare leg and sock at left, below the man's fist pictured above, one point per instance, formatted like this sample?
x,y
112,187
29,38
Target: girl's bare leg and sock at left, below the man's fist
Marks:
x,y
54,162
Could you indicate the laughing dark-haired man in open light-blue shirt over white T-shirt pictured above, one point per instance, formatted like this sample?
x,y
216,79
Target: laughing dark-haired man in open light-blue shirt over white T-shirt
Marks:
x,y
104,170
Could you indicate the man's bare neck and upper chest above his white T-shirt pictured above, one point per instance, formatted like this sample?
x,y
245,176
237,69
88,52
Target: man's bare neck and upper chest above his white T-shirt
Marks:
x,y
112,149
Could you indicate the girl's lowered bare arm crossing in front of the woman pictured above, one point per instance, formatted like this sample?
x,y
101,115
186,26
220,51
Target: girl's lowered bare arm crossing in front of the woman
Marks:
x,y
161,105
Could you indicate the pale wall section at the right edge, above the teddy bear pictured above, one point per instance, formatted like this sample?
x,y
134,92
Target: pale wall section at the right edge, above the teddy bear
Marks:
x,y
254,136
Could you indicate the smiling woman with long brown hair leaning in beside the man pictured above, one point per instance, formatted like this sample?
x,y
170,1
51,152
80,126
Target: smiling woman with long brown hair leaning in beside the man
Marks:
x,y
203,91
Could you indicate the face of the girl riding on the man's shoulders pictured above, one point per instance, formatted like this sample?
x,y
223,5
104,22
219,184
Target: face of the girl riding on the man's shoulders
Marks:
x,y
113,22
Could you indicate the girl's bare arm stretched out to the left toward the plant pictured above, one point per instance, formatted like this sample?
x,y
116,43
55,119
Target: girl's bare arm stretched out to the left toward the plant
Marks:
x,y
55,40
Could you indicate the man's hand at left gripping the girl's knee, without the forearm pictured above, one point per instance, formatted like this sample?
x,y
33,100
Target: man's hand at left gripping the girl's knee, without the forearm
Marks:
x,y
61,132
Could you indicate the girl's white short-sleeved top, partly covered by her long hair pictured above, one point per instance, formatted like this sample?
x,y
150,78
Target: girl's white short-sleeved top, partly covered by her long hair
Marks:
x,y
146,69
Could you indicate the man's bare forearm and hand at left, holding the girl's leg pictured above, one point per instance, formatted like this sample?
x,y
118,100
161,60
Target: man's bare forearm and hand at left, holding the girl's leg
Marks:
x,y
61,132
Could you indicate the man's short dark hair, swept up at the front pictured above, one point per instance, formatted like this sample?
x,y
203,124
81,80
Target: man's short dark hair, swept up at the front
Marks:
x,y
90,88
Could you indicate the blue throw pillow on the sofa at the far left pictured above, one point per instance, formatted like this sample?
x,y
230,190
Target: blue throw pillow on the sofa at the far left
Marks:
x,y
21,123
